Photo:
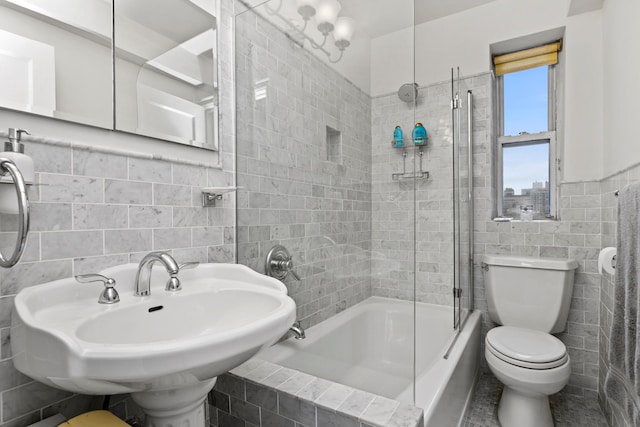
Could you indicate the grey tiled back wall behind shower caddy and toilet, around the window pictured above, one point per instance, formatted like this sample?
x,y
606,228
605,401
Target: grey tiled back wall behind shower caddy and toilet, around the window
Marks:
x,y
577,235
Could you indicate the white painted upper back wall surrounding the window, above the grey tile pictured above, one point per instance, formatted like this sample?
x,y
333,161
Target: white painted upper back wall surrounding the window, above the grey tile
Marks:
x,y
463,40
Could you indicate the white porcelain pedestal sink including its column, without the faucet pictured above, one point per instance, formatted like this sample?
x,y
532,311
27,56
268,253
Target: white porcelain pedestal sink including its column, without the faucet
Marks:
x,y
166,349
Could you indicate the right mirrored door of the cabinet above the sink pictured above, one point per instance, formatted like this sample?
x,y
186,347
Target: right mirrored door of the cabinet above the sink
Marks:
x,y
165,70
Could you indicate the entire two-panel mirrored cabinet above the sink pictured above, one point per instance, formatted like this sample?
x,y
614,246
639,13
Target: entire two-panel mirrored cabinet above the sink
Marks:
x,y
157,78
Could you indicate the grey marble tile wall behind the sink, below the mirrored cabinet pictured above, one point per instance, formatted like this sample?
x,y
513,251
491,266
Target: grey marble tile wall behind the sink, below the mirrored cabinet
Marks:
x,y
91,210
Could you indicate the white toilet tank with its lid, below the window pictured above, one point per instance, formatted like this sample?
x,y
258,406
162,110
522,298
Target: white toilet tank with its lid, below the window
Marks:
x,y
527,292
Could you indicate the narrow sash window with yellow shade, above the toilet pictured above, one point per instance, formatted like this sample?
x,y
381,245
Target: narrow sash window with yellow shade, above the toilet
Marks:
x,y
527,132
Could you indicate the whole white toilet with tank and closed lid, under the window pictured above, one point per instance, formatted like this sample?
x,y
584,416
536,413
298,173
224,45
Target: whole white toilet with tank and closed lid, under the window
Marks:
x,y
530,298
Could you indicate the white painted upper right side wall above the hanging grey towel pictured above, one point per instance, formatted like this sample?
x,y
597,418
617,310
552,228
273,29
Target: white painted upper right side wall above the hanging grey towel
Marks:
x,y
621,106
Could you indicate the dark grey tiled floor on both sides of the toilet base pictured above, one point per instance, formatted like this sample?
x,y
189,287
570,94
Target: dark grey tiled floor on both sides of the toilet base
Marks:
x,y
568,411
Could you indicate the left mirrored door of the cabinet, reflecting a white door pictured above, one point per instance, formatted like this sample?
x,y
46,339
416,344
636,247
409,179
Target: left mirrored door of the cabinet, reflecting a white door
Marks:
x,y
55,59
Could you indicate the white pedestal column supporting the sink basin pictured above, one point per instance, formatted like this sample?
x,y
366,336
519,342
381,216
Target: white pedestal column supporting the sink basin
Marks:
x,y
175,407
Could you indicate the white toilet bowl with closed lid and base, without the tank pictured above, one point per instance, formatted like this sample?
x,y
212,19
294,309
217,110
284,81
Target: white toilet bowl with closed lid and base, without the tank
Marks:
x,y
532,365
